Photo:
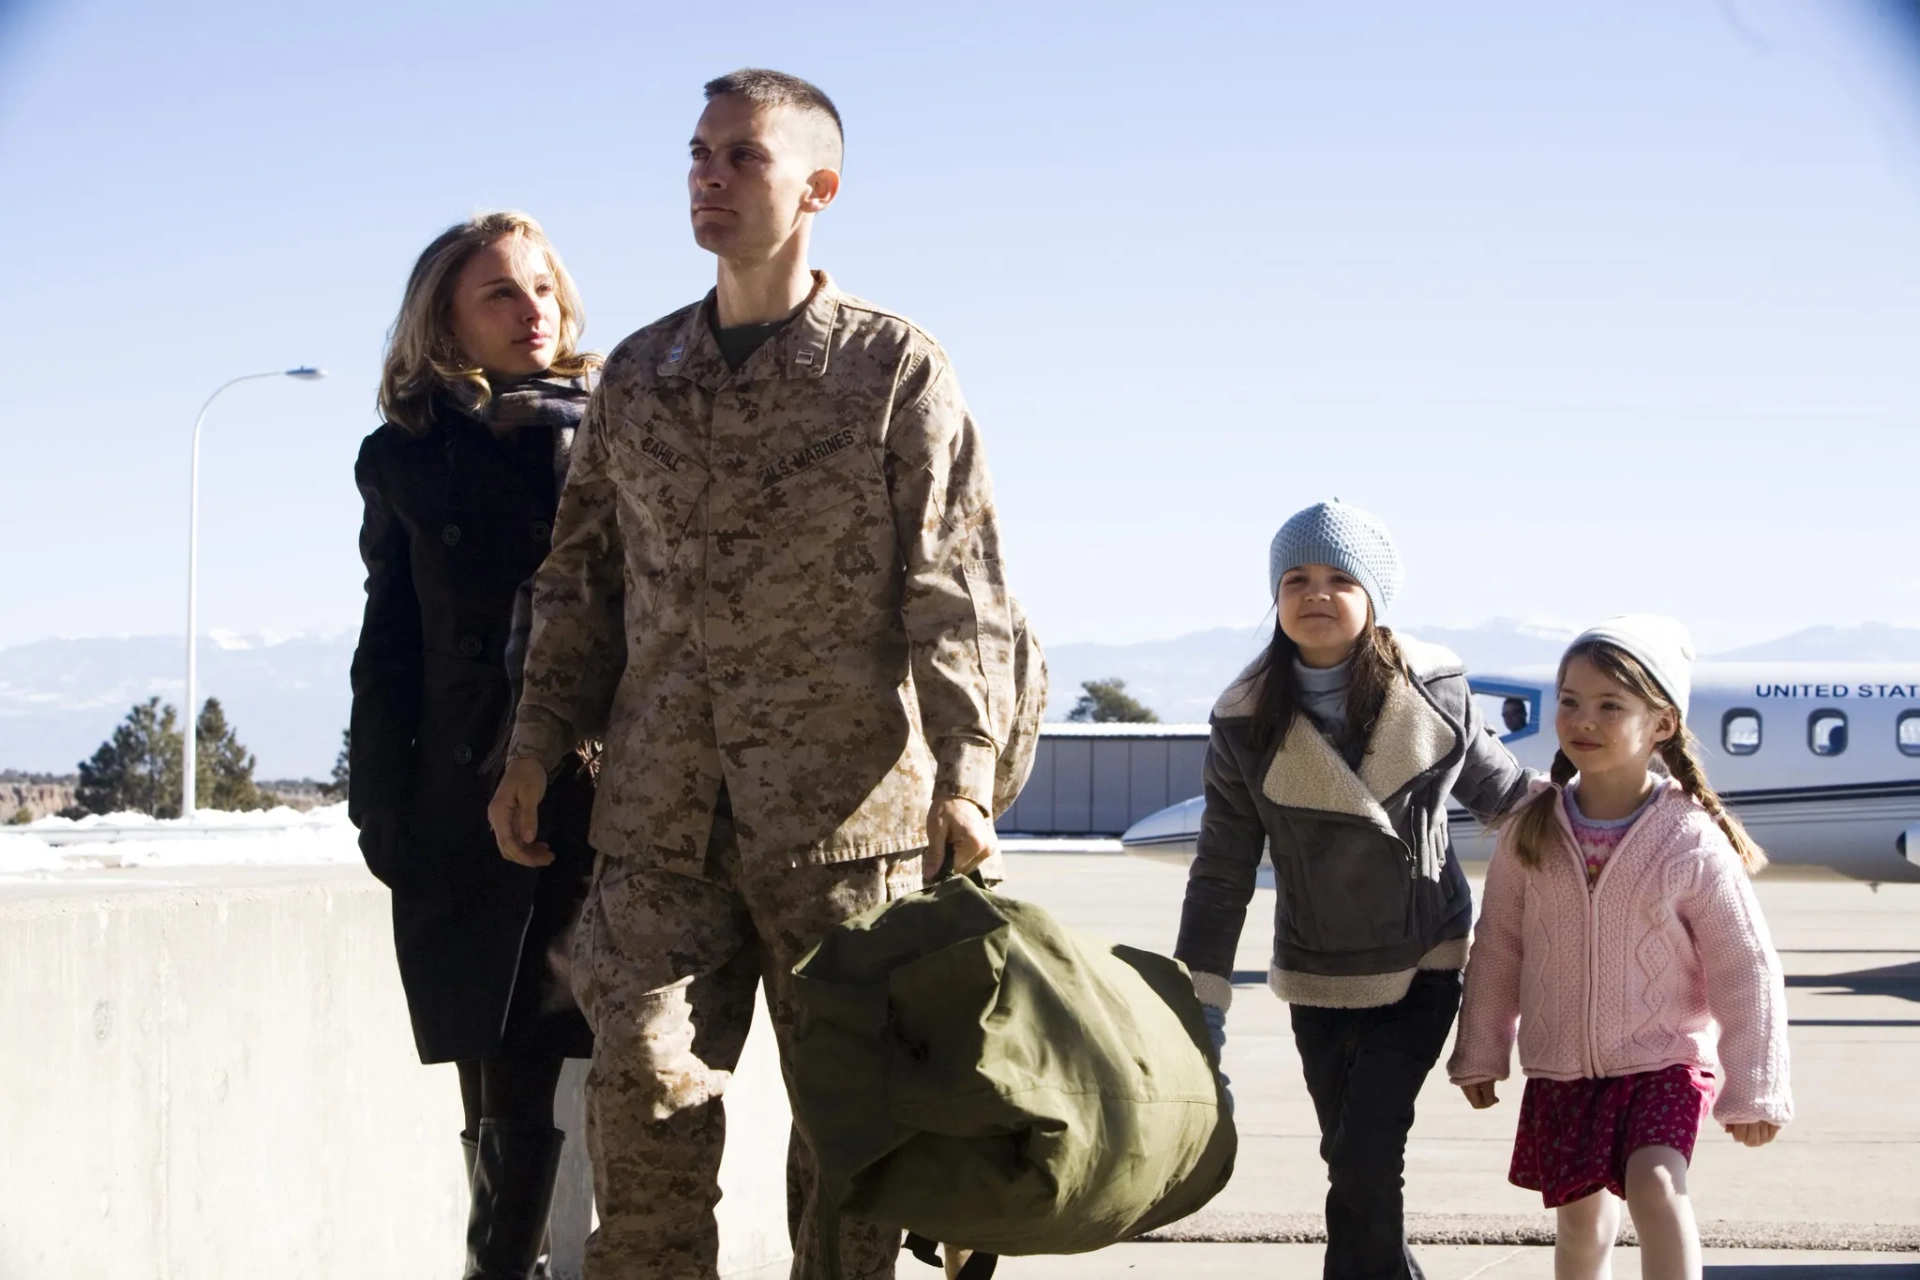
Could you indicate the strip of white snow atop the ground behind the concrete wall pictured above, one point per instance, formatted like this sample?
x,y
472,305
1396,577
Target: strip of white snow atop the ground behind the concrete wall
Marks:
x,y
212,840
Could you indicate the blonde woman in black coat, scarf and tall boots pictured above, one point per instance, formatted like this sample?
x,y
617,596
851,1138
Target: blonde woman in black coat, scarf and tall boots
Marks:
x,y
481,392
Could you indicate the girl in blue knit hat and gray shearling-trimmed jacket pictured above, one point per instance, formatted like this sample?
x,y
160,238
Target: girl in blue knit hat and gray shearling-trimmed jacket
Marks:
x,y
1337,751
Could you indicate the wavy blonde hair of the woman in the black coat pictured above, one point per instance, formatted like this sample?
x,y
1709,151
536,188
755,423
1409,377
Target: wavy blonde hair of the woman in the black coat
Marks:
x,y
421,354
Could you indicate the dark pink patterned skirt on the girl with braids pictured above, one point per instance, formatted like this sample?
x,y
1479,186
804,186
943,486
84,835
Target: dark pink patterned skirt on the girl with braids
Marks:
x,y
1575,1135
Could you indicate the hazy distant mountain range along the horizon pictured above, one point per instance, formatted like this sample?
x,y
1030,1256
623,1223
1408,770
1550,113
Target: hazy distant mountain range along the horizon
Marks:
x,y
289,698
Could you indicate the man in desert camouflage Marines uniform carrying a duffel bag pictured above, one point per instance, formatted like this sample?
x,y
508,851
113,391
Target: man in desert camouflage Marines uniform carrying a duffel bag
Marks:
x,y
777,594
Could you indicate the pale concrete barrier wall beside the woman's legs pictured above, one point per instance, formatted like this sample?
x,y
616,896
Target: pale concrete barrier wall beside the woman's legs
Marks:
x,y
210,1076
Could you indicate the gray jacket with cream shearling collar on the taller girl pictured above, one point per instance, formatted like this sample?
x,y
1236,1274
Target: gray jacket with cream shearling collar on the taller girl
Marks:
x,y
1368,889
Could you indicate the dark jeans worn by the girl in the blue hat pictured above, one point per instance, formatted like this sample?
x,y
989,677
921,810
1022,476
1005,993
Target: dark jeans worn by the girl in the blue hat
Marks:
x,y
1364,1070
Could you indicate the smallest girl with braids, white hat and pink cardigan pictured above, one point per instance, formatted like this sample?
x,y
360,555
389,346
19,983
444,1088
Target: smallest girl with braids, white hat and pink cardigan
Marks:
x,y
1621,939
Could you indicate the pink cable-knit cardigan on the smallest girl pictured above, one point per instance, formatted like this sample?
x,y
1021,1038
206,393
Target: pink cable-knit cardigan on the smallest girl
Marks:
x,y
1664,962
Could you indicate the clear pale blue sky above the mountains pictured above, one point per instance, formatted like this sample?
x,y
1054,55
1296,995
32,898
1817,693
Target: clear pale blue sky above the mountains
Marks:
x,y
1600,306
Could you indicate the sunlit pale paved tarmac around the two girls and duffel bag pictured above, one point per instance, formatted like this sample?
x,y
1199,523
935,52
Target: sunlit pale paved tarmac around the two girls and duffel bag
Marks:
x,y
1838,1195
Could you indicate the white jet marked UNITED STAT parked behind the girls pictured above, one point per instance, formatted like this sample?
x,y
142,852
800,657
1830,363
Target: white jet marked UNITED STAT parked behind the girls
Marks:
x,y
1821,761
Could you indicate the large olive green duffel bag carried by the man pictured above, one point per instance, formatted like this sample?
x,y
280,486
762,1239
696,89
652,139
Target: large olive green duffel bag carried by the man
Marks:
x,y
972,1072
